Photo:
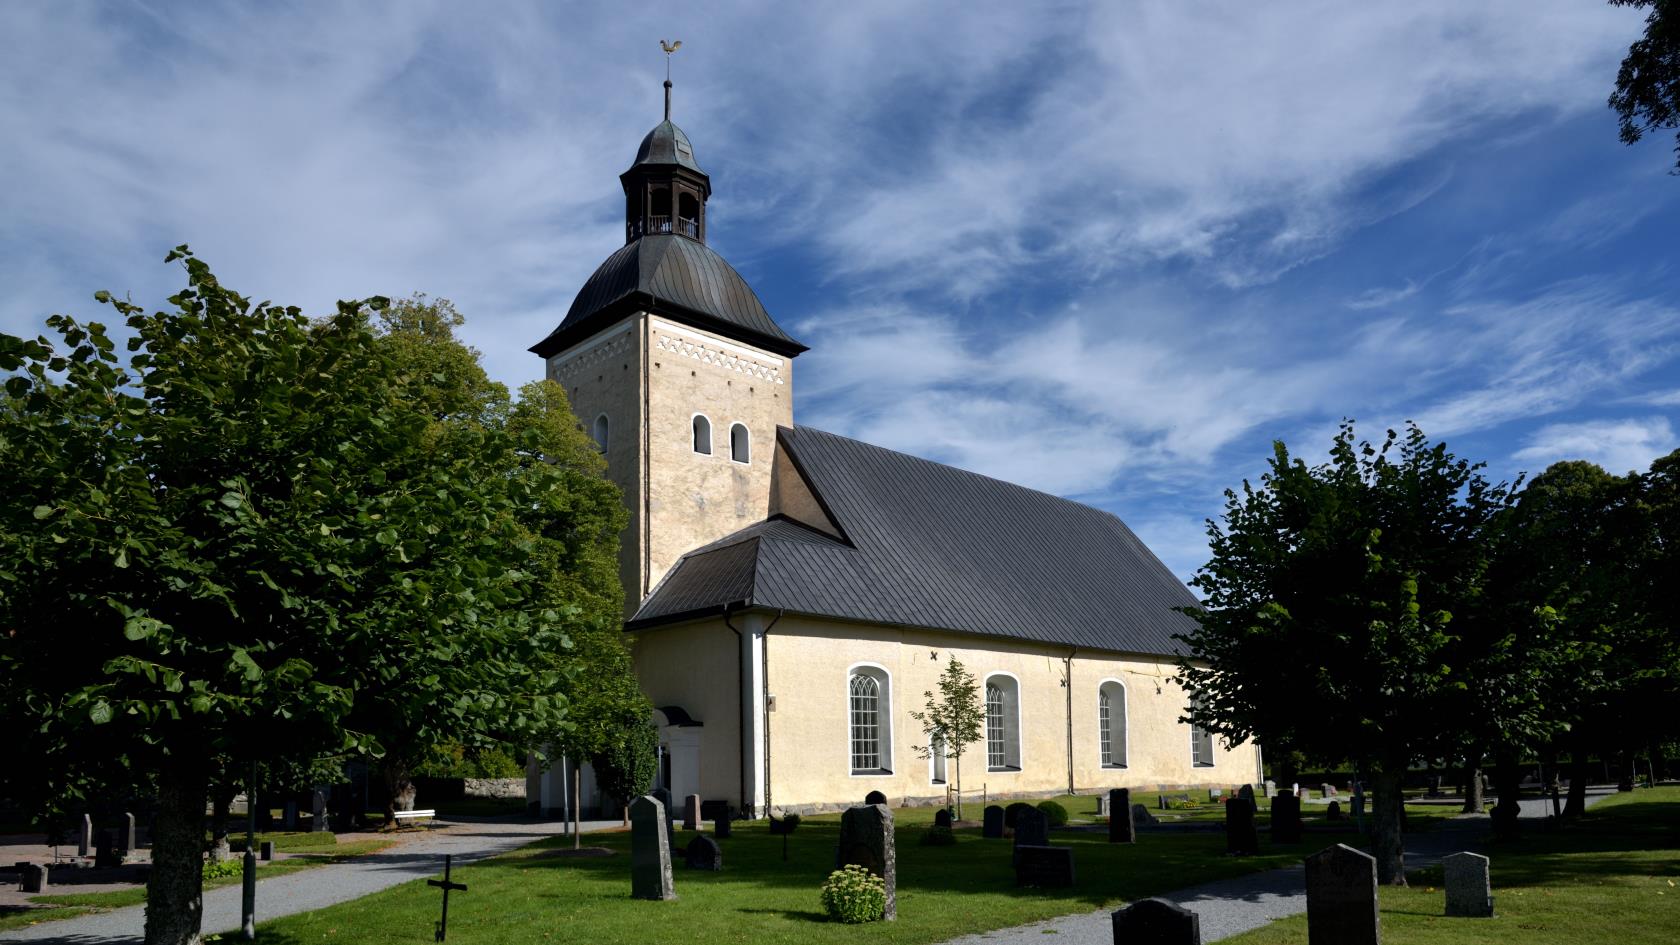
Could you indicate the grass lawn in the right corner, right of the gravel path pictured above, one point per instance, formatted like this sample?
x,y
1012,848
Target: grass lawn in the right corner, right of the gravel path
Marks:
x,y
1614,877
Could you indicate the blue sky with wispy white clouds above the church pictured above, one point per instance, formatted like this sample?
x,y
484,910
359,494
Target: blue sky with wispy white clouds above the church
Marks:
x,y
1105,250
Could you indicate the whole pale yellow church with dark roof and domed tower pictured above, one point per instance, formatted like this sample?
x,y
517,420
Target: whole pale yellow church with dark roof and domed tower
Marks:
x,y
794,594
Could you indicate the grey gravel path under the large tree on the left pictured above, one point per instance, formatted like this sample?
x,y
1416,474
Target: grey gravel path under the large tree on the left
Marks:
x,y
315,889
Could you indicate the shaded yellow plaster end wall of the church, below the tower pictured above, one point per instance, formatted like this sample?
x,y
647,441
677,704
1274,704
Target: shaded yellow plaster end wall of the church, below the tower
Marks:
x,y
696,667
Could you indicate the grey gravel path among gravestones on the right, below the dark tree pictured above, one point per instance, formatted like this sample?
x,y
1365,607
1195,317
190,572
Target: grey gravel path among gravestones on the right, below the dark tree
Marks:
x,y
1232,907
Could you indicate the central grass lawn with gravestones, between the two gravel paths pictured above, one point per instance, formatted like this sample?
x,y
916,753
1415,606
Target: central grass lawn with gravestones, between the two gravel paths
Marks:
x,y
533,897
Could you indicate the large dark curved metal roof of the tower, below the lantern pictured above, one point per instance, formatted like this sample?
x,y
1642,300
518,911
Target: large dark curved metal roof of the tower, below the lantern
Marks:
x,y
680,278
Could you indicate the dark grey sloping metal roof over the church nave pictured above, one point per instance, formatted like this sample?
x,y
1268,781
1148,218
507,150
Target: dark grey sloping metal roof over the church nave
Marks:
x,y
937,547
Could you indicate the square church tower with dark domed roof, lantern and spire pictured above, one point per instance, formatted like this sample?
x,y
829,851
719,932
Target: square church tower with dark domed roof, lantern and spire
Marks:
x,y
676,369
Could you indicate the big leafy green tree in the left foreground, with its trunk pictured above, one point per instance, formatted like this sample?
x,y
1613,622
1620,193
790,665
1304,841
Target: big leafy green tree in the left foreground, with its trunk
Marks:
x,y
233,546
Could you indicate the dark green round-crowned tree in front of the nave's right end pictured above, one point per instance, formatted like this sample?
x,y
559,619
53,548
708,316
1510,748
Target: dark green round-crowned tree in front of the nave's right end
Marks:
x,y
1330,610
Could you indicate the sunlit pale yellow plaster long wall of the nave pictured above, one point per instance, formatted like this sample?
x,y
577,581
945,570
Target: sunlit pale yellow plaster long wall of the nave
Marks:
x,y
811,756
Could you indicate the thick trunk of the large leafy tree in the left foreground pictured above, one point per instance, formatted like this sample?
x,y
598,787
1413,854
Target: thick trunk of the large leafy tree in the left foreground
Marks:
x,y
176,889
